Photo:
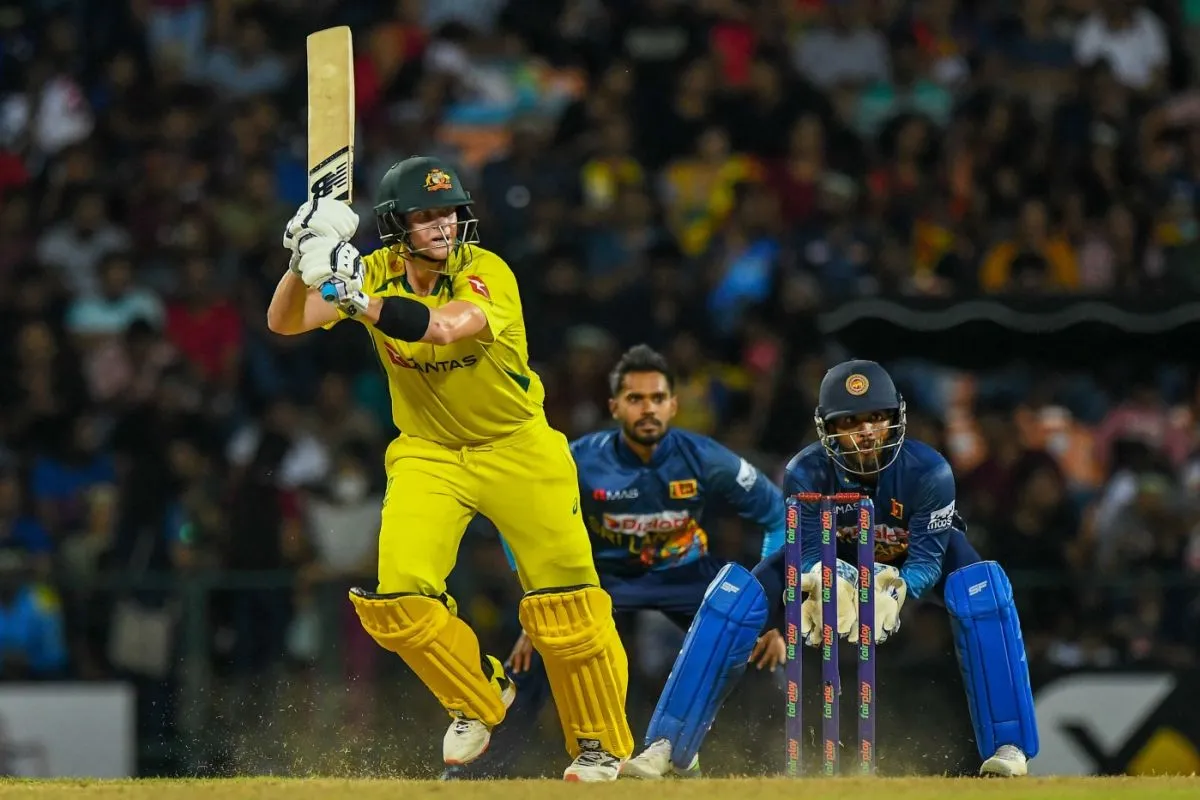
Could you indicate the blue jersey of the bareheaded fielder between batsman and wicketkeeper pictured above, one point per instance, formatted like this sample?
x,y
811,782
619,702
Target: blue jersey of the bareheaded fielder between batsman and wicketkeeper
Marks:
x,y
650,516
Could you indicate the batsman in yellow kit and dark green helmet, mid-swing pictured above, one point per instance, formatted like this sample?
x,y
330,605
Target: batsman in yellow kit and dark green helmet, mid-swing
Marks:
x,y
445,317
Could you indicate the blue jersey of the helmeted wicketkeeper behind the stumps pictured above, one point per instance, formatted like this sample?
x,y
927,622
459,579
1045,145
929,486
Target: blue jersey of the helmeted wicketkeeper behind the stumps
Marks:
x,y
914,512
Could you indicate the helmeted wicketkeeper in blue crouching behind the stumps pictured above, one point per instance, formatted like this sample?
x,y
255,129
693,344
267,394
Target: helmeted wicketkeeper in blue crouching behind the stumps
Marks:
x,y
922,552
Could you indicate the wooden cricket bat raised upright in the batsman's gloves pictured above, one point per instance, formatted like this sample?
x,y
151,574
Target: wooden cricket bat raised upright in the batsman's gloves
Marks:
x,y
332,119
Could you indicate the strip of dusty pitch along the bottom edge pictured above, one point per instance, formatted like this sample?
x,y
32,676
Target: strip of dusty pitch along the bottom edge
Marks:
x,y
925,789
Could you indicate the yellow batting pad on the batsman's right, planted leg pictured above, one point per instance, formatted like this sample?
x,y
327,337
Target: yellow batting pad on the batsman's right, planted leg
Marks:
x,y
586,664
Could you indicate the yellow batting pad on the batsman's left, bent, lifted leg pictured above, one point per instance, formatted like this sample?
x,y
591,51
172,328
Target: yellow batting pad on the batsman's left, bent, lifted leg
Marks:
x,y
437,646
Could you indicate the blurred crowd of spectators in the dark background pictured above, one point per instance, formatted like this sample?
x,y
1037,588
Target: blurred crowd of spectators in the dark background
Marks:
x,y
703,176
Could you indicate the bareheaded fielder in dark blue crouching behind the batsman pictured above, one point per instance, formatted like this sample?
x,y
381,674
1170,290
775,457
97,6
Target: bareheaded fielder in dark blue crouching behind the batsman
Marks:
x,y
645,490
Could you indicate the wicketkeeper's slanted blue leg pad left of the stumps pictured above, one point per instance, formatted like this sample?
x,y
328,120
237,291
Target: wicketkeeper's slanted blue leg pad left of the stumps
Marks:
x,y
712,660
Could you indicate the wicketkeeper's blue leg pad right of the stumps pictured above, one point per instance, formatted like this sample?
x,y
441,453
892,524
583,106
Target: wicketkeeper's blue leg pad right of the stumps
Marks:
x,y
992,658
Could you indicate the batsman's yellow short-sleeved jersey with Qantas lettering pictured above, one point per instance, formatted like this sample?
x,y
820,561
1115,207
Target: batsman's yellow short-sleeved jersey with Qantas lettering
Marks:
x,y
476,390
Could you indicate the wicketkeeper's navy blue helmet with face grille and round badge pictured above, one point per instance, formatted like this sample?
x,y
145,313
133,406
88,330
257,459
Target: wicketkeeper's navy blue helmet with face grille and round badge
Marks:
x,y
855,388
